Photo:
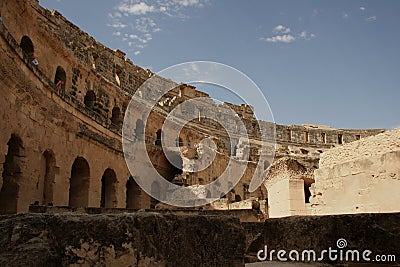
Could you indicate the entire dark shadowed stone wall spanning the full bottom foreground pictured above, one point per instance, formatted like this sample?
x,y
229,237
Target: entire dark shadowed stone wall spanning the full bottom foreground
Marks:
x,y
152,239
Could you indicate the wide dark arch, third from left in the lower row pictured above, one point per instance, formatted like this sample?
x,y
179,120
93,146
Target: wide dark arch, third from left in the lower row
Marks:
x,y
79,183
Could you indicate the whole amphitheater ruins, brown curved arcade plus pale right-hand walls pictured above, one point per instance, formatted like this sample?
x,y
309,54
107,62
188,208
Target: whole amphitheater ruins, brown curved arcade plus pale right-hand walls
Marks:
x,y
59,149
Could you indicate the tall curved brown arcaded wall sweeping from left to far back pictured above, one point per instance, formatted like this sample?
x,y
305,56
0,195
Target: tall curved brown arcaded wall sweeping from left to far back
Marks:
x,y
50,135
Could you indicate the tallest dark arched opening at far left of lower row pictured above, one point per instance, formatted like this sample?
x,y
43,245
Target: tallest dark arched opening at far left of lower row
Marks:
x,y
12,174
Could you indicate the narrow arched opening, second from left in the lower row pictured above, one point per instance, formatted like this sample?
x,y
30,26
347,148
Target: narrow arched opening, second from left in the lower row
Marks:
x,y
49,172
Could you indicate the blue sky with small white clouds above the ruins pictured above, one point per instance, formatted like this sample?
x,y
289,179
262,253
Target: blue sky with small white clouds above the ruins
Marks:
x,y
335,63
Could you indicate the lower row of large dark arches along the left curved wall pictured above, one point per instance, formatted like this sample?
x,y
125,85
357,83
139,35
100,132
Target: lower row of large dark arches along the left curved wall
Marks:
x,y
14,176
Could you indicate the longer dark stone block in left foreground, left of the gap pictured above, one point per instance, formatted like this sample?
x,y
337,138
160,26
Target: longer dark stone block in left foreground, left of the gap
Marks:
x,y
139,239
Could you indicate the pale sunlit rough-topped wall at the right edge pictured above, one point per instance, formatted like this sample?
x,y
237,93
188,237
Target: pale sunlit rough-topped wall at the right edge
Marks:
x,y
359,177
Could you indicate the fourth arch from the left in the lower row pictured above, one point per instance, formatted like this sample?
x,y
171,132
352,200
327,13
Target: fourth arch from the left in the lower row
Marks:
x,y
108,189
